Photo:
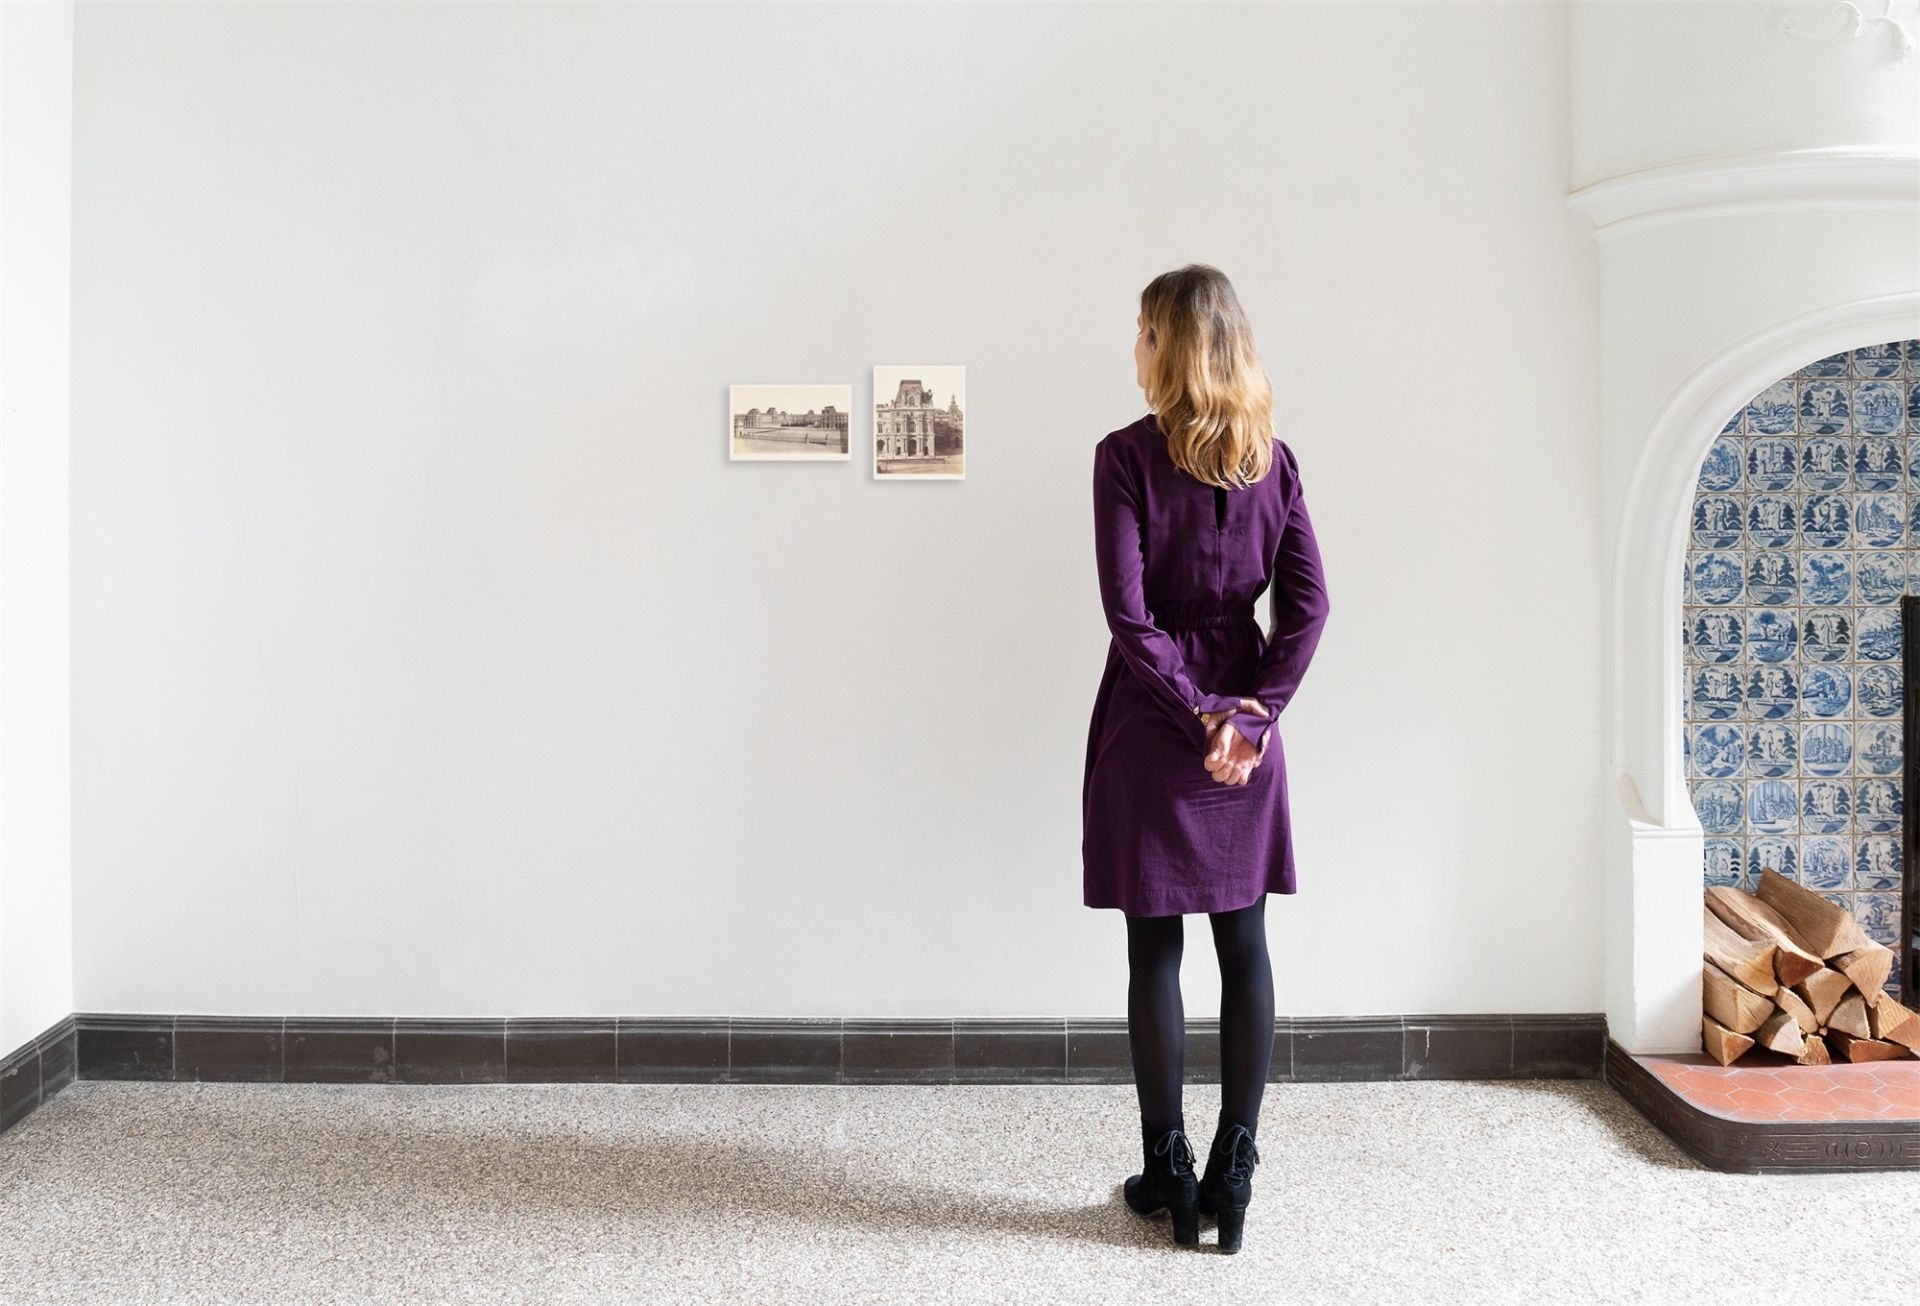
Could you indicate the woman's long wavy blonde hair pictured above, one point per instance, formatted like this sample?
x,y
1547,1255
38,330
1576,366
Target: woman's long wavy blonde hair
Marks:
x,y
1205,381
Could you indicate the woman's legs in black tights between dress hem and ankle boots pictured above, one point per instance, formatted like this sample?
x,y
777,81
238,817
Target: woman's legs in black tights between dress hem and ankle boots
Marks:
x,y
1157,1021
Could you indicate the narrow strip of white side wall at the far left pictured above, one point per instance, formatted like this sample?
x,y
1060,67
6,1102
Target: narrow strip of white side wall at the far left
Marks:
x,y
36,176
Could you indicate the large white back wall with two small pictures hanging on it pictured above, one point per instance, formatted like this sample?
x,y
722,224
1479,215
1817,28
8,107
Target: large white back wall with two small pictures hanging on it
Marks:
x,y
433,660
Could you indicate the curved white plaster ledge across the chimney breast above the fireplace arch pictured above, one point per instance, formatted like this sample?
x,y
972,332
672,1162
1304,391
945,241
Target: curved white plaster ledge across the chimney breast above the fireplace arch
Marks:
x,y
1838,178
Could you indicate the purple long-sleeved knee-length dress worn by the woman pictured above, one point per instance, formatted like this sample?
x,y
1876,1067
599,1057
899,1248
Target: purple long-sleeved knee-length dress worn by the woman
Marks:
x,y
1182,566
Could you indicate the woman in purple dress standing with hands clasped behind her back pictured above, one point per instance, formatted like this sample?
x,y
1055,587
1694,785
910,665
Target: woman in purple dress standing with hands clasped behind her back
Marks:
x,y
1197,510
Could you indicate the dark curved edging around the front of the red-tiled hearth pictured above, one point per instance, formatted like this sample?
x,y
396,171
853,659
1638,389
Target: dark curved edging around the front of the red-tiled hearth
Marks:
x,y
1762,1146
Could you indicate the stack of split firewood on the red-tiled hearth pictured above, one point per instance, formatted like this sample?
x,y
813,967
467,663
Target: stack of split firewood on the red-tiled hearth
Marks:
x,y
1790,971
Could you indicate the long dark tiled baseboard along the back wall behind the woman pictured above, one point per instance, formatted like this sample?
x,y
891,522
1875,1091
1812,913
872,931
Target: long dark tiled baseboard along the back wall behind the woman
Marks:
x,y
809,1050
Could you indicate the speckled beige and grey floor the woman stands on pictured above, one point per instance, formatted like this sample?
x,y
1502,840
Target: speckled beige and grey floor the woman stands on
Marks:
x,y
1416,1192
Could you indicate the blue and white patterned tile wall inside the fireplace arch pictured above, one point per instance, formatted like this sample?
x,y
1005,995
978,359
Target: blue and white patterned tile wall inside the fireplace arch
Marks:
x,y
1806,535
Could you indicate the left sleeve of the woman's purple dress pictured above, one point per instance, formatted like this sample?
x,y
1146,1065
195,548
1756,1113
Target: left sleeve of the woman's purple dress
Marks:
x,y
1118,527
